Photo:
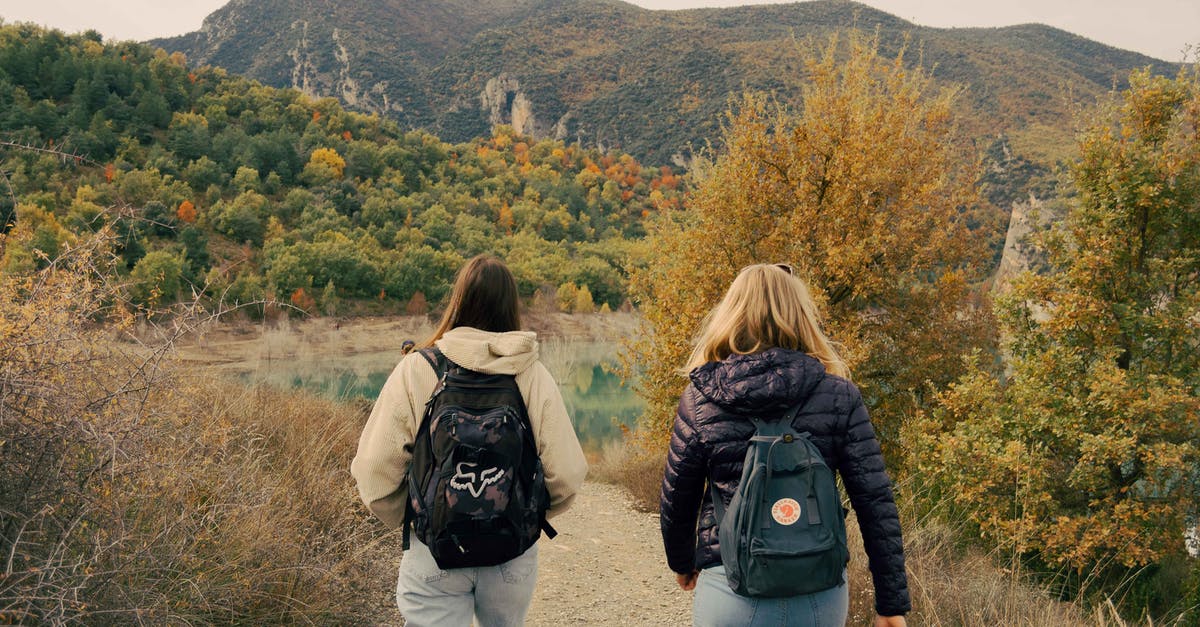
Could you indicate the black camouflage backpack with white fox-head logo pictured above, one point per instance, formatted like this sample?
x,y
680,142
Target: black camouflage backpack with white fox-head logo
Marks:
x,y
477,491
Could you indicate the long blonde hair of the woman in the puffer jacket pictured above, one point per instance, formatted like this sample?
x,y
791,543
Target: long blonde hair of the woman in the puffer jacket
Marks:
x,y
765,308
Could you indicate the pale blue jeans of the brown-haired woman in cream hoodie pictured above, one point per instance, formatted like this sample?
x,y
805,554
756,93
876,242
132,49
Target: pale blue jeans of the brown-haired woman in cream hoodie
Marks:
x,y
497,596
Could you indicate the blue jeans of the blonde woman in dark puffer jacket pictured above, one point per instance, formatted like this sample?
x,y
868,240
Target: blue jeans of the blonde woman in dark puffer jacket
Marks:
x,y
717,606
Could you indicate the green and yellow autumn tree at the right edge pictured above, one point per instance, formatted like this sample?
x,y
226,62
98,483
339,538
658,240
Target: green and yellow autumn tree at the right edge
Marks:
x,y
1085,452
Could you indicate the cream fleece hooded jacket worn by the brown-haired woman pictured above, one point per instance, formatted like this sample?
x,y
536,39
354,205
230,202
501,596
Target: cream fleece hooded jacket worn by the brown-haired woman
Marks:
x,y
386,446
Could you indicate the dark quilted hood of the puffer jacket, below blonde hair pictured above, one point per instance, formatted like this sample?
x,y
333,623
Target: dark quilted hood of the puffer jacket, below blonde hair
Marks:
x,y
769,383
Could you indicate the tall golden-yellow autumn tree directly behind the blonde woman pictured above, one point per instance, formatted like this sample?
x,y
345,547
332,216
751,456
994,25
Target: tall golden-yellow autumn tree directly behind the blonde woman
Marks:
x,y
862,190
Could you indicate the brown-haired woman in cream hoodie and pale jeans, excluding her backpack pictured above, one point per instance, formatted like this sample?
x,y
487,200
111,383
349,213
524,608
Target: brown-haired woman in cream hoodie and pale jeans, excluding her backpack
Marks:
x,y
479,332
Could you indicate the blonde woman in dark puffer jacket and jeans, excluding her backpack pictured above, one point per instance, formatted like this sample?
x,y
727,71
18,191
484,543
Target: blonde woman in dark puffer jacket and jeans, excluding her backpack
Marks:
x,y
761,356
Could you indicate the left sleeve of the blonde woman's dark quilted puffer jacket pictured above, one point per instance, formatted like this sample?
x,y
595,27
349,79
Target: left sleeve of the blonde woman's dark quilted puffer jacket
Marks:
x,y
683,487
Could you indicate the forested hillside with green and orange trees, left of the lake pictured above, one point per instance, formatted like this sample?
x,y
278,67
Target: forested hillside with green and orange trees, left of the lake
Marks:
x,y
221,184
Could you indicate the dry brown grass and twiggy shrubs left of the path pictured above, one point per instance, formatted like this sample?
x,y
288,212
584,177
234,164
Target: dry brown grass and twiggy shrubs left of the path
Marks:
x,y
134,491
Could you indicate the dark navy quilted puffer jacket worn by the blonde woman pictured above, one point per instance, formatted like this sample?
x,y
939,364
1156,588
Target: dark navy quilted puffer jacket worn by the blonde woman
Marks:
x,y
712,432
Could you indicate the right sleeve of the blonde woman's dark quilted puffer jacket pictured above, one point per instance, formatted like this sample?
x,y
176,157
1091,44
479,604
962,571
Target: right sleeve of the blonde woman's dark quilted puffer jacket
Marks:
x,y
871,493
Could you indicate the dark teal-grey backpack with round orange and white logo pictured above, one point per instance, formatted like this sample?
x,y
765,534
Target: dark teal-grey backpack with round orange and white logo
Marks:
x,y
784,533
